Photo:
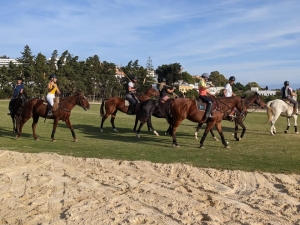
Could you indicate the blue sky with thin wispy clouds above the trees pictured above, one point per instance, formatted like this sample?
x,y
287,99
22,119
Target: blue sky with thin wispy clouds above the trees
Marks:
x,y
253,40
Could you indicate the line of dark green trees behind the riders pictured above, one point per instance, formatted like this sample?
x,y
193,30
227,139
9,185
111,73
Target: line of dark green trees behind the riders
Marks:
x,y
95,78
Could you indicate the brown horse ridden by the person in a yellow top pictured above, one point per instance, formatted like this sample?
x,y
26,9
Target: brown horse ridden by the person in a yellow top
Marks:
x,y
35,108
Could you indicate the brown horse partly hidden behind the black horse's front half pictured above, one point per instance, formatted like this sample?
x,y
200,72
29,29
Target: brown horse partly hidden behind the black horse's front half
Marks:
x,y
112,105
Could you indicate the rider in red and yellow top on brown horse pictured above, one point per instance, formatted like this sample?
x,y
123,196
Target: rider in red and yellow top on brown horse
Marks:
x,y
203,91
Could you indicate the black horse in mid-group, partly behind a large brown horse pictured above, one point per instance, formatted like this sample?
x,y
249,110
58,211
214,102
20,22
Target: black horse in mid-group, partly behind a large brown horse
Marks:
x,y
150,107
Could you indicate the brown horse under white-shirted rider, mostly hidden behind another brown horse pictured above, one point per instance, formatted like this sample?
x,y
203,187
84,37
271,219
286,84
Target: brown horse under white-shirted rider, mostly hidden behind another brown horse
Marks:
x,y
239,118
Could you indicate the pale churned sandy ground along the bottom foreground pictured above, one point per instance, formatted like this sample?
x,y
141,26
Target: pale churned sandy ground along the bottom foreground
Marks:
x,y
54,189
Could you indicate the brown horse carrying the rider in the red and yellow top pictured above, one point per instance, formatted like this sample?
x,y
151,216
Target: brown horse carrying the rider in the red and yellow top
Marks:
x,y
182,108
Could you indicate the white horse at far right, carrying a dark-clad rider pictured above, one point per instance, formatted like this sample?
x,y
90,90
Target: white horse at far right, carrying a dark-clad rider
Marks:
x,y
278,108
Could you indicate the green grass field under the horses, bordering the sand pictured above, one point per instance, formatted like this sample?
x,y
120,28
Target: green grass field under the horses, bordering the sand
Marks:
x,y
257,151
